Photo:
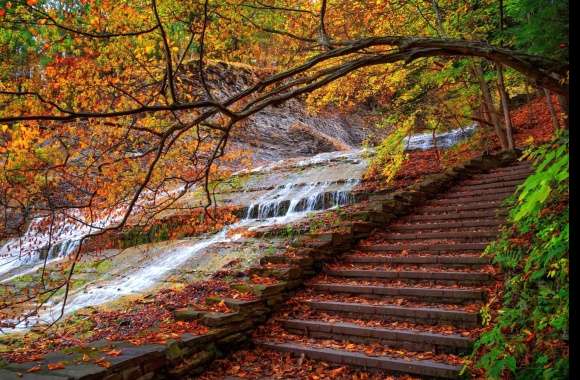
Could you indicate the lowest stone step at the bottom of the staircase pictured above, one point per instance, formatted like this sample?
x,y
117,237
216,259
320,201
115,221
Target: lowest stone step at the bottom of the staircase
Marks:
x,y
342,357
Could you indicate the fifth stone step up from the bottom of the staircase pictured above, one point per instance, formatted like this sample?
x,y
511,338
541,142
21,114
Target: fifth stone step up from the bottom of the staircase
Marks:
x,y
411,275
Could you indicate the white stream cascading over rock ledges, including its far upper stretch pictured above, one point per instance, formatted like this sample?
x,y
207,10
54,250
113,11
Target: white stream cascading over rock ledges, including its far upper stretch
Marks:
x,y
298,187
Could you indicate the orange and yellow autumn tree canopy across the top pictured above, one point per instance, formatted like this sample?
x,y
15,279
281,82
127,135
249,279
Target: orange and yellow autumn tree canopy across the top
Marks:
x,y
107,107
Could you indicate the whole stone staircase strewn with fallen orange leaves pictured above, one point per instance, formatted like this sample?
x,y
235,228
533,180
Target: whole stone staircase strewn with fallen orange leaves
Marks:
x,y
407,299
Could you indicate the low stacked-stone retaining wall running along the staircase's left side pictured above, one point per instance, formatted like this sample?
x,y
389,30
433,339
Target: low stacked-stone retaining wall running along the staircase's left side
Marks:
x,y
229,331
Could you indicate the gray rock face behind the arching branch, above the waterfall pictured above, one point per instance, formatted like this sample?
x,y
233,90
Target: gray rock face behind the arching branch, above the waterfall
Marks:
x,y
284,131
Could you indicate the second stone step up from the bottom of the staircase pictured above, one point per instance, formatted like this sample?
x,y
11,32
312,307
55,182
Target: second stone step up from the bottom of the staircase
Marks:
x,y
413,340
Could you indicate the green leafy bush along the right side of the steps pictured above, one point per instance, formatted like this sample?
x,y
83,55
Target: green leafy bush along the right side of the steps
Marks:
x,y
530,337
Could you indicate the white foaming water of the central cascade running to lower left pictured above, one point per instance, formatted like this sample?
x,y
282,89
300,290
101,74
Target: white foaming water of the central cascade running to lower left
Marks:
x,y
300,199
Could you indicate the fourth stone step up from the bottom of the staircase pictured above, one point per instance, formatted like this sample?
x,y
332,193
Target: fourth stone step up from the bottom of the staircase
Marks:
x,y
450,294
